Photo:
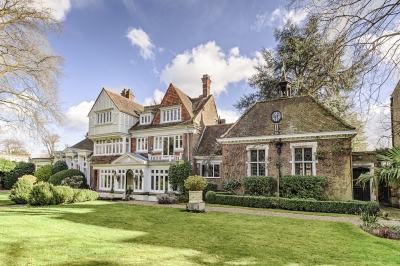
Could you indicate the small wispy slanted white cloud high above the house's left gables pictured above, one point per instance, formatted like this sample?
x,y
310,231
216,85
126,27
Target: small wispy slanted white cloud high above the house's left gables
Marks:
x,y
142,40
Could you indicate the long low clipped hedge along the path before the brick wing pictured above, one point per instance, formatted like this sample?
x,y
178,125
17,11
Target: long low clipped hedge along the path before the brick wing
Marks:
x,y
309,205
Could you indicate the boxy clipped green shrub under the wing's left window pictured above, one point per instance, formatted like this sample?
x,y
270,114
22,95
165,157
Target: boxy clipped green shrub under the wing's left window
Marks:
x,y
257,185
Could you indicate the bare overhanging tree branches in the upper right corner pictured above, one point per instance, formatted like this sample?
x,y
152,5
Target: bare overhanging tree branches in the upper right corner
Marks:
x,y
370,36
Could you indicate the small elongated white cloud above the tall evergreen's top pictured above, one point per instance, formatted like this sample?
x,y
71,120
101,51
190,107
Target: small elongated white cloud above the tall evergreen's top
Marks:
x,y
278,18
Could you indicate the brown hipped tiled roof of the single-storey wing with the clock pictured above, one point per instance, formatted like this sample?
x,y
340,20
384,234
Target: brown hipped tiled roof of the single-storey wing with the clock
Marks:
x,y
302,114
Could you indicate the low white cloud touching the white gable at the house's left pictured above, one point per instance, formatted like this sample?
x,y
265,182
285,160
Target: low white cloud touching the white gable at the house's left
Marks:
x,y
76,116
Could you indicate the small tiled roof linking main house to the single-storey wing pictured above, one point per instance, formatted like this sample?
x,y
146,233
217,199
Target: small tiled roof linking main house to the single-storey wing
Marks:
x,y
208,143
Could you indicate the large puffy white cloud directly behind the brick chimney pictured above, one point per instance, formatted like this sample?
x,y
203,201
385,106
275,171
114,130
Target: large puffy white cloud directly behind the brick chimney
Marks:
x,y
187,69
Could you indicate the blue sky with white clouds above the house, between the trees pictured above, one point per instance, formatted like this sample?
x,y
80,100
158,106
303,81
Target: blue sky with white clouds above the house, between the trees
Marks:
x,y
145,45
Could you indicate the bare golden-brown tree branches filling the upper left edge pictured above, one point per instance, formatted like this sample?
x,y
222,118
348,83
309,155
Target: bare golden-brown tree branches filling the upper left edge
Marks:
x,y
29,70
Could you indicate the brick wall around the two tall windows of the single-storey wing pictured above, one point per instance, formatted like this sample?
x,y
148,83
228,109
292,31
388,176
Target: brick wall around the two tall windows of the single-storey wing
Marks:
x,y
334,162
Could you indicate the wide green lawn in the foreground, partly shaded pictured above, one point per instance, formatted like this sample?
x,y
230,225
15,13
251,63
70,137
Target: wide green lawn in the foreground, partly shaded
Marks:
x,y
105,233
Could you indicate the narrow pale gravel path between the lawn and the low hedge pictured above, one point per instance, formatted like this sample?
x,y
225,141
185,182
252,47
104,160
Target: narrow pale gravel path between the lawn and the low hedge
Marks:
x,y
356,221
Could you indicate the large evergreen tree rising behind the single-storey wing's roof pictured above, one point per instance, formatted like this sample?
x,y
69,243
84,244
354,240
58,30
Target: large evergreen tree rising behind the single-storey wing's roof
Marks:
x,y
312,64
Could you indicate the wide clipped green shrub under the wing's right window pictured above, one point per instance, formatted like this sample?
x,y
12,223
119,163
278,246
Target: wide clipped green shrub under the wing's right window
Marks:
x,y
297,186
